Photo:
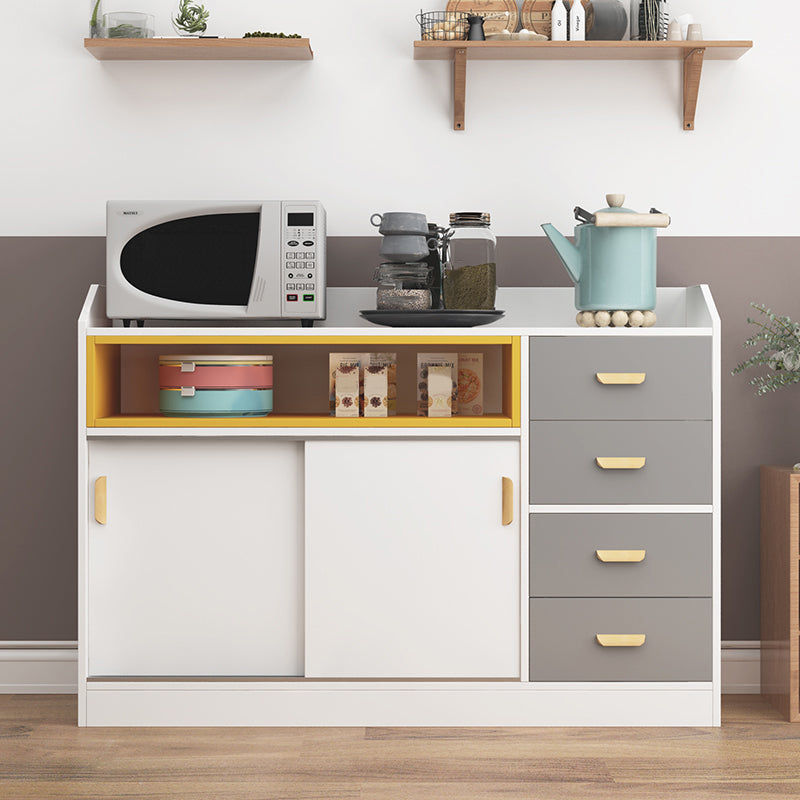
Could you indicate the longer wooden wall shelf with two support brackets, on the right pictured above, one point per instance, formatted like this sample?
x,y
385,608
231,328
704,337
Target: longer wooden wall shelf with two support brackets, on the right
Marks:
x,y
691,53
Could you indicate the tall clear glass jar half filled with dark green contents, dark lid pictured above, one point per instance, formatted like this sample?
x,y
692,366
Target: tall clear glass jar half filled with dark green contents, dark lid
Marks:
x,y
470,269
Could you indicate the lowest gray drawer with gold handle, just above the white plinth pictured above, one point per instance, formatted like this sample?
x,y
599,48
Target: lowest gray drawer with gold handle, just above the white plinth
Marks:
x,y
563,644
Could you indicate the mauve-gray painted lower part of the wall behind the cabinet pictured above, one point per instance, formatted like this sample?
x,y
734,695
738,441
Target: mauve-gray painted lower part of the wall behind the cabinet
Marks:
x,y
44,282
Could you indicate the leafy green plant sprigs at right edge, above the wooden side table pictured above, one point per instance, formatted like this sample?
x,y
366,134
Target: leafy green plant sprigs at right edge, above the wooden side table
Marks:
x,y
779,339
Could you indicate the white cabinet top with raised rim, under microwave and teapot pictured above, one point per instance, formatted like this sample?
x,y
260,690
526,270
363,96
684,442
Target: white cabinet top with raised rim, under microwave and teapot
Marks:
x,y
528,311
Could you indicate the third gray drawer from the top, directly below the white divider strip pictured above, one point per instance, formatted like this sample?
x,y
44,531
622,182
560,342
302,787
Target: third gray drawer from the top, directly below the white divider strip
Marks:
x,y
564,558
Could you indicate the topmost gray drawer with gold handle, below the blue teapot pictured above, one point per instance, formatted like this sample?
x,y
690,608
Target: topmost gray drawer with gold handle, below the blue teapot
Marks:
x,y
564,384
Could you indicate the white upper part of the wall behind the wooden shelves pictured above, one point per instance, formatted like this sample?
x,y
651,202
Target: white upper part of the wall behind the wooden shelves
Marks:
x,y
363,127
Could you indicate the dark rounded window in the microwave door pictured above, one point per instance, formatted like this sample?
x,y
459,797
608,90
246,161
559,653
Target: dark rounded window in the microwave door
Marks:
x,y
204,259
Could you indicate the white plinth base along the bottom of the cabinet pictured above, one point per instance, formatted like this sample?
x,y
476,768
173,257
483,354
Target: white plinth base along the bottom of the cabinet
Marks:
x,y
397,704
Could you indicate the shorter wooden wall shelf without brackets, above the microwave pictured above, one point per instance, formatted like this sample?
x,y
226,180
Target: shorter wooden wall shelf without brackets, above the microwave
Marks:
x,y
192,49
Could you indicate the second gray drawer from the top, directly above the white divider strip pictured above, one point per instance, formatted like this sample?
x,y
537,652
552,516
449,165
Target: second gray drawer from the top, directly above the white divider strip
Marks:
x,y
677,465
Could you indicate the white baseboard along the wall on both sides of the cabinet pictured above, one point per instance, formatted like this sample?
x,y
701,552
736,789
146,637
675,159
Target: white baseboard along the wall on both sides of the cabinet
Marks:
x,y
52,668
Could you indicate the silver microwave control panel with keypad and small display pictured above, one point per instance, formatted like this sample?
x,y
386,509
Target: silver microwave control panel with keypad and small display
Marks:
x,y
303,260
